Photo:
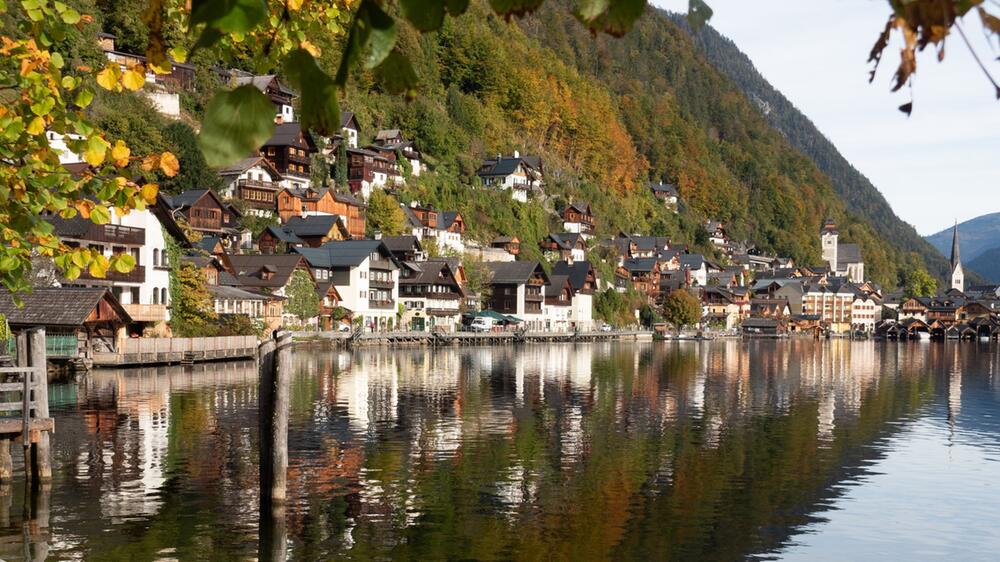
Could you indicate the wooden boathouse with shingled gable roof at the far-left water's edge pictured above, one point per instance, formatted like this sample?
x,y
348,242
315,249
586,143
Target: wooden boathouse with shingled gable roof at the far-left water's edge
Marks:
x,y
78,321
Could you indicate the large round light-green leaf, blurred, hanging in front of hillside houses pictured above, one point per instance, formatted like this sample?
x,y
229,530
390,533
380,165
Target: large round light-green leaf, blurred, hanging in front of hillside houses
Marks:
x,y
236,123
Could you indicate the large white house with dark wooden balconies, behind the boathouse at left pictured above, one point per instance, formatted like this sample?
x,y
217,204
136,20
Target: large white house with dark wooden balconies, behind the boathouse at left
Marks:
x,y
144,291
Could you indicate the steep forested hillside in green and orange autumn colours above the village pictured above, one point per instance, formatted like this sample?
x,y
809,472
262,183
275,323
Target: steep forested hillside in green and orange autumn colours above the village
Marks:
x,y
606,115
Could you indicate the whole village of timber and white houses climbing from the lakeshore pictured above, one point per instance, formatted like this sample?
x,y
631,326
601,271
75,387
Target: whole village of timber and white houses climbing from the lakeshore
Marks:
x,y
433,276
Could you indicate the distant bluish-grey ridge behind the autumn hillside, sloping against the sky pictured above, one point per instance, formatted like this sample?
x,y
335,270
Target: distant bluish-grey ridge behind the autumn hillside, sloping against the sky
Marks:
x,y
861,197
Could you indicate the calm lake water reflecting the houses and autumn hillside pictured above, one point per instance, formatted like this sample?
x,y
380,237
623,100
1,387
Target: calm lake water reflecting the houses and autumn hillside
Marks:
x,y
724,450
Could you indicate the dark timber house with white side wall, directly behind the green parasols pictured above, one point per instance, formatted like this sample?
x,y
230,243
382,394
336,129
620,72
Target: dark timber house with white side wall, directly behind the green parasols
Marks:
x,y
517,289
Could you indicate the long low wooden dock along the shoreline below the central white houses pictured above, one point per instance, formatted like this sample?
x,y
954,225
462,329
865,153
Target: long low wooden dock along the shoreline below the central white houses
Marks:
x,y
510,337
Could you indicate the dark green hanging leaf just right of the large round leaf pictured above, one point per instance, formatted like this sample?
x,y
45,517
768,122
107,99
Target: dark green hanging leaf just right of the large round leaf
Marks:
x,y
319,108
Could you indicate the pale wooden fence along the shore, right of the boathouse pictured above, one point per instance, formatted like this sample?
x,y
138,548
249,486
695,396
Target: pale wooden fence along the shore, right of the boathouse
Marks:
x,y
149,351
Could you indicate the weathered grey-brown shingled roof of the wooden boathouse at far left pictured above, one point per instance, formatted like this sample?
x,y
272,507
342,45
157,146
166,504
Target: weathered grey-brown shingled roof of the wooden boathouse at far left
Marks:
x,y
66,307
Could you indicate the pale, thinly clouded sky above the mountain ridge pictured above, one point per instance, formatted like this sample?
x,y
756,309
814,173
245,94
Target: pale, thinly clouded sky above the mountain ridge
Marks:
x,y
939,165
